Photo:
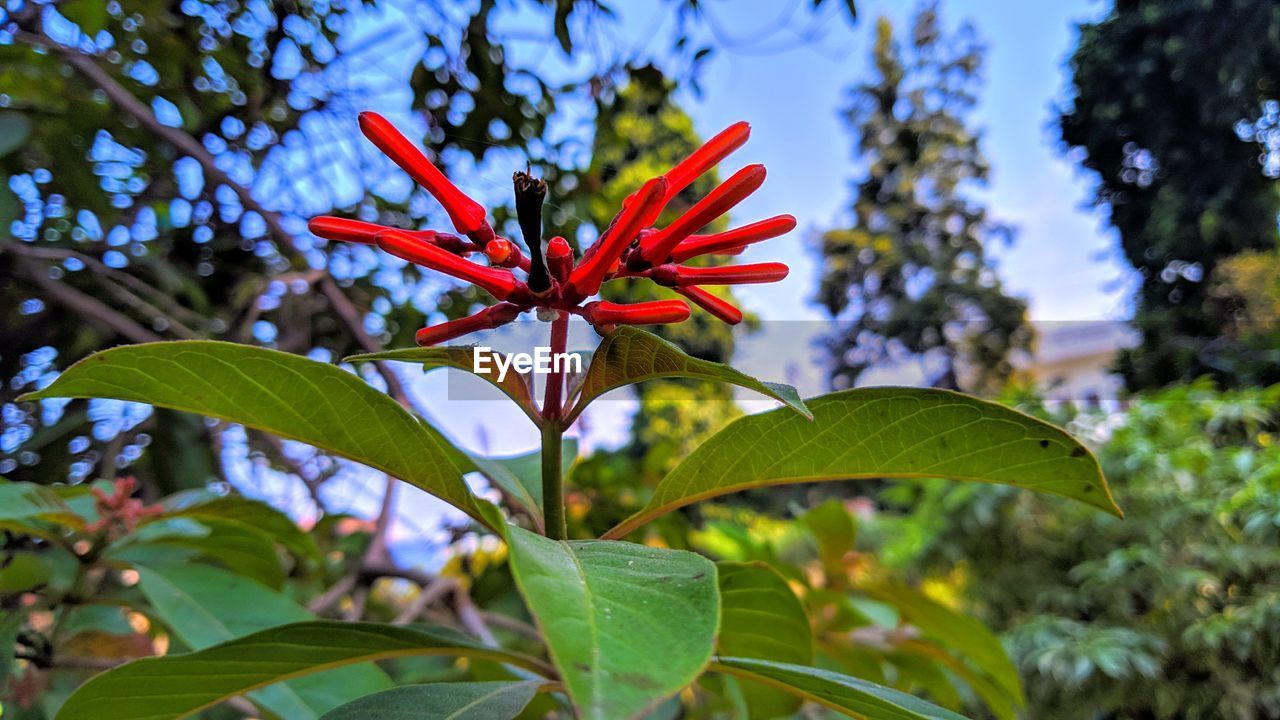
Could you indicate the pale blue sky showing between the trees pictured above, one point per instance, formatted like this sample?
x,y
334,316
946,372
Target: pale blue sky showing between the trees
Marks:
x,y
788,76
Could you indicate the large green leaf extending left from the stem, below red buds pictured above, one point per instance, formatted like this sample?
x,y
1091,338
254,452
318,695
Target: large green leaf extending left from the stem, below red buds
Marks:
x,y
287,395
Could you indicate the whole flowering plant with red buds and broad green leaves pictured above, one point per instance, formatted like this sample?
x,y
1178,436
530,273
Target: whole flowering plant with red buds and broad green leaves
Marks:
x,y
623,628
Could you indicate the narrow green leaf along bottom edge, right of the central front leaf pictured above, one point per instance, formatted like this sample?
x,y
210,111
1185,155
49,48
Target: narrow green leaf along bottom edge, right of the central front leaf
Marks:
x,y
845,695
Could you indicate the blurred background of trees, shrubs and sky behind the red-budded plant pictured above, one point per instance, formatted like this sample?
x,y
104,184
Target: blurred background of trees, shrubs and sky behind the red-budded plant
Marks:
x,y
1069,207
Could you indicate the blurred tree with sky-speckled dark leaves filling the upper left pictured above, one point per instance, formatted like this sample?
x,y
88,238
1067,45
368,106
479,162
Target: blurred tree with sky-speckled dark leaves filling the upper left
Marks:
x,y
159,160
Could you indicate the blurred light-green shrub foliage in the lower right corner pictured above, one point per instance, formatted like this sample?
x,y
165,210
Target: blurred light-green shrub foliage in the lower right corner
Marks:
x,y
1172,613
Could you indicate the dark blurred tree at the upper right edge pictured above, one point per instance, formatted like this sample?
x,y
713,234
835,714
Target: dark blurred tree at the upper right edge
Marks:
x,y
1177,110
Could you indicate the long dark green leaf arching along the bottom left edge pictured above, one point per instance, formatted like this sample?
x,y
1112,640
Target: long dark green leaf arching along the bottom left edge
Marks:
x,y
179,686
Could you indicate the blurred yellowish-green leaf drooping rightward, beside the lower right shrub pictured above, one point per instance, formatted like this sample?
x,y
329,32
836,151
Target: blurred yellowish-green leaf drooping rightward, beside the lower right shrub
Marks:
x,y
963,635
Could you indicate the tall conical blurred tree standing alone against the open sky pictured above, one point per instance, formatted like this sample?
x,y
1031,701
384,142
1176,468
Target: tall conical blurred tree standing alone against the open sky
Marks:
x,y
911,277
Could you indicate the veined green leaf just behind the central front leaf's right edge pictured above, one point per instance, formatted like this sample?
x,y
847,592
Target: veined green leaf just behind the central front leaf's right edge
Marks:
x,y
762,618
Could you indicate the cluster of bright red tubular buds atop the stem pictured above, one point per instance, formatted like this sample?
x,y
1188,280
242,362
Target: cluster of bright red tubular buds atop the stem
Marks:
x,y
554,281
